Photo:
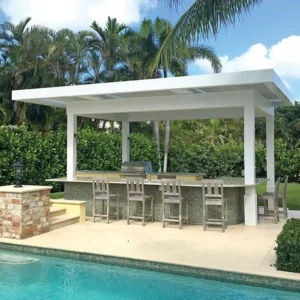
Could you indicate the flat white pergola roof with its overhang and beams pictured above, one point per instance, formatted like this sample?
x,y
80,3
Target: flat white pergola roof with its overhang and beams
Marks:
x,y
178,98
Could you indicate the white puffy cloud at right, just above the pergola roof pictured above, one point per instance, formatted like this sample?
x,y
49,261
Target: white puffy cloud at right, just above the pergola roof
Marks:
x,y
283,57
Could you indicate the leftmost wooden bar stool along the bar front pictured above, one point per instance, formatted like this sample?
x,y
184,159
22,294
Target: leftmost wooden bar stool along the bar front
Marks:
x,y
101,193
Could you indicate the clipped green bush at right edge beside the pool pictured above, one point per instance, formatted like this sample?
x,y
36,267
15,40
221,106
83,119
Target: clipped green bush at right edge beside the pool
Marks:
x,y
288,247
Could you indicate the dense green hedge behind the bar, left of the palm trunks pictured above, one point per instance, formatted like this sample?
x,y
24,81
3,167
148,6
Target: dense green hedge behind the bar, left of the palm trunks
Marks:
x,y
45,156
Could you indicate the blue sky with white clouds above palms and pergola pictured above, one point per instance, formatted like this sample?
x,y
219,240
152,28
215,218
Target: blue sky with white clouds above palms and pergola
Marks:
x,y
267,38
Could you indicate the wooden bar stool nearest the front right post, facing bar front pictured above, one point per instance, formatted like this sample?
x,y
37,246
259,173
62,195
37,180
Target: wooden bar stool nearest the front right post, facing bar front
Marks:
x,y
213,195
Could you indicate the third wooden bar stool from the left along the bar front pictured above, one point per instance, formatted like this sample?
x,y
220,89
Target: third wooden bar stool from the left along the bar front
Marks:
x,y
171,194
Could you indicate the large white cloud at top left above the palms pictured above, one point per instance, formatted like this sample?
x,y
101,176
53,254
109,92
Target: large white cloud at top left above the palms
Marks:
x,y
75,14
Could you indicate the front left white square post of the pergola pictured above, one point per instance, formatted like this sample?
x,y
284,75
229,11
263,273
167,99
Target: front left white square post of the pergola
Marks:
x,y
71,146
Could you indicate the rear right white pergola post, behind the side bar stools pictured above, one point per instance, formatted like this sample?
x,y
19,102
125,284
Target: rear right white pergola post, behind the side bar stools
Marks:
x,y
270,157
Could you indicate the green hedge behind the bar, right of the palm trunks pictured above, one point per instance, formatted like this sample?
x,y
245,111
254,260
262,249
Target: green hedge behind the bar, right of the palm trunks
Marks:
x,y
227,159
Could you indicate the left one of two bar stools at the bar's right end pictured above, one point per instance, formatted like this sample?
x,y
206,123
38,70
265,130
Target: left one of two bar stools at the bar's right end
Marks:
x,y
266,197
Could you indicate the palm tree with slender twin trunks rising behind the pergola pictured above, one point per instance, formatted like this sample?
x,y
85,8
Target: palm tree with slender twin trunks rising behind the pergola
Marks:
x,y
177,65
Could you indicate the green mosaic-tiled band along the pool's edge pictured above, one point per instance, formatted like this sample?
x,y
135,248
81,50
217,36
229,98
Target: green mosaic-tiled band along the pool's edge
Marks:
x,y
271,282
